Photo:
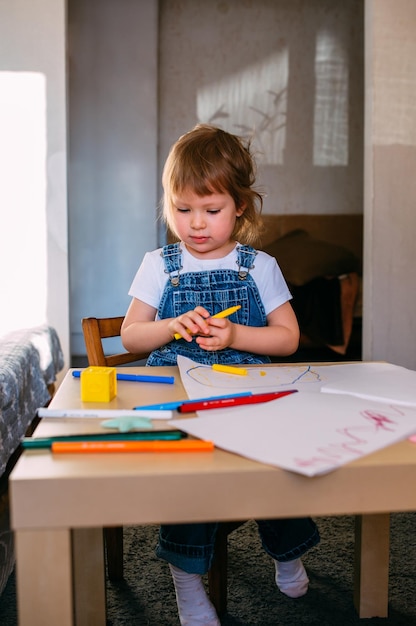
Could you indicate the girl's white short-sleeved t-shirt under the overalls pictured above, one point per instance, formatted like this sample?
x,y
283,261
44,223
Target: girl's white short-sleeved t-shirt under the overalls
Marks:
x,y
150,279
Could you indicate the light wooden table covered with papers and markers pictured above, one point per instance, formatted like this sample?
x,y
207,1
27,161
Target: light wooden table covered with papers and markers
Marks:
x,y
59,506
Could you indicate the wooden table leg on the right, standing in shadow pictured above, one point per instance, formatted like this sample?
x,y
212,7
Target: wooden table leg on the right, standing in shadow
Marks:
x,y
371,571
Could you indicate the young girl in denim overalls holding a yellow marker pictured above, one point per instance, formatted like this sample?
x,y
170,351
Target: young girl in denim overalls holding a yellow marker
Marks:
x,y
211,206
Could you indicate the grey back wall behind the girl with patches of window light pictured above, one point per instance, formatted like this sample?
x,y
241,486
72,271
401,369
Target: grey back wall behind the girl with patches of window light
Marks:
x,y
287,74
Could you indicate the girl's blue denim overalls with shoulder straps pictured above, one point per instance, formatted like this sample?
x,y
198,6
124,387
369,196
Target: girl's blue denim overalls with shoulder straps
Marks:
x,y
190,546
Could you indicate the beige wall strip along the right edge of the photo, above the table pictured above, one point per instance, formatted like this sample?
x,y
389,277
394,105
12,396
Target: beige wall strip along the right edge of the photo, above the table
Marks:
x,y
390,183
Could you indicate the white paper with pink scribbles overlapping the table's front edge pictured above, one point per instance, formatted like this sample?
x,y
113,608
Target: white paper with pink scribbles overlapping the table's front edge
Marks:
x,y
307,433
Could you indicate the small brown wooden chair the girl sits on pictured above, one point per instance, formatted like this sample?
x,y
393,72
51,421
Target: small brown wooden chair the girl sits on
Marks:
x,y
95,330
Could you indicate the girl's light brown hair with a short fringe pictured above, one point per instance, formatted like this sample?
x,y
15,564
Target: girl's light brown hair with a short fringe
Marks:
x,y
209,160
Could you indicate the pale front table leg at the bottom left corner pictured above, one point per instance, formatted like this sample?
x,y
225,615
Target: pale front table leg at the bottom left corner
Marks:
x,y
44,577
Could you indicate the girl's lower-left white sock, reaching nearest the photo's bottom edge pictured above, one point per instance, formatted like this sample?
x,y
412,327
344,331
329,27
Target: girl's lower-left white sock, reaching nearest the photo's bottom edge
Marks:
x,y
194,606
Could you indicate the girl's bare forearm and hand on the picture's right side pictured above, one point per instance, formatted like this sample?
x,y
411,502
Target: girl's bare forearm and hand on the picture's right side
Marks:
x,y
279,338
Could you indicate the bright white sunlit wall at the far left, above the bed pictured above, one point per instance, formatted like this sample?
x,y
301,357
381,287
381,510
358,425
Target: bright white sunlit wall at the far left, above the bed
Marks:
x,y
33,162
